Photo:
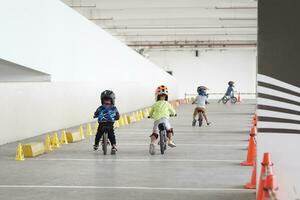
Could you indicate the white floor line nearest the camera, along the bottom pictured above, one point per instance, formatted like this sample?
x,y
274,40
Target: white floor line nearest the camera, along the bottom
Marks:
x,y
122,187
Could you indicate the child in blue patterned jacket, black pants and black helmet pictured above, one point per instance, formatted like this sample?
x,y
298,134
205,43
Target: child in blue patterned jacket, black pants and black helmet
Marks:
x,y
107,114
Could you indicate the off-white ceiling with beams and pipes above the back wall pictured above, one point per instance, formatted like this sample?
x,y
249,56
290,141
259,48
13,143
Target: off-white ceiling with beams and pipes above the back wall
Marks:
x,y
175,23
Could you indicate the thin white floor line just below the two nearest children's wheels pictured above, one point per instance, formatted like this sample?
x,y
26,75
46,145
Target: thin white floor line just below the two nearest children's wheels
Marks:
x,y
133,160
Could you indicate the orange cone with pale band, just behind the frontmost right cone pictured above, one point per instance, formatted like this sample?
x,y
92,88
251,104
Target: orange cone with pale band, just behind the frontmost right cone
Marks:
x,y
266,169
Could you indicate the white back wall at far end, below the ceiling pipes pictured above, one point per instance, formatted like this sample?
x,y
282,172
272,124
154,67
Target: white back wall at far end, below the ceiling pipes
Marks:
x,y
212,68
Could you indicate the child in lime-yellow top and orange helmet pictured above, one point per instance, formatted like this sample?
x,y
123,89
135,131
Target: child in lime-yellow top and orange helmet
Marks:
x,y
160,112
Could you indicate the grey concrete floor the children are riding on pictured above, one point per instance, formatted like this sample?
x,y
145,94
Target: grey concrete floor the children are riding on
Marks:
x,y
204,165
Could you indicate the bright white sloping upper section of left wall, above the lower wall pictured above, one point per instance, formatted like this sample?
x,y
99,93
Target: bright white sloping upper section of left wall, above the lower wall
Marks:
x,y
50,37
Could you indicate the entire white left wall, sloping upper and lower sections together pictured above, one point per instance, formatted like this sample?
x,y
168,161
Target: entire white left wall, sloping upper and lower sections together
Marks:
x,y
82,59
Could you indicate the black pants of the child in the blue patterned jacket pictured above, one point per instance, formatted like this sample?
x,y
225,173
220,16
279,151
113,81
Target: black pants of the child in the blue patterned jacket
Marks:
x,y
109,128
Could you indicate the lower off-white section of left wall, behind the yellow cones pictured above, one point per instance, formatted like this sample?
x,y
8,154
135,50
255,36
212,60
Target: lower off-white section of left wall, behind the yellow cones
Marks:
x,y
30,109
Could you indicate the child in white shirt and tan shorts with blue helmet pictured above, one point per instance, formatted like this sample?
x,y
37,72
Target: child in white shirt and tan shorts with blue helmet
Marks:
x,y
201,101
